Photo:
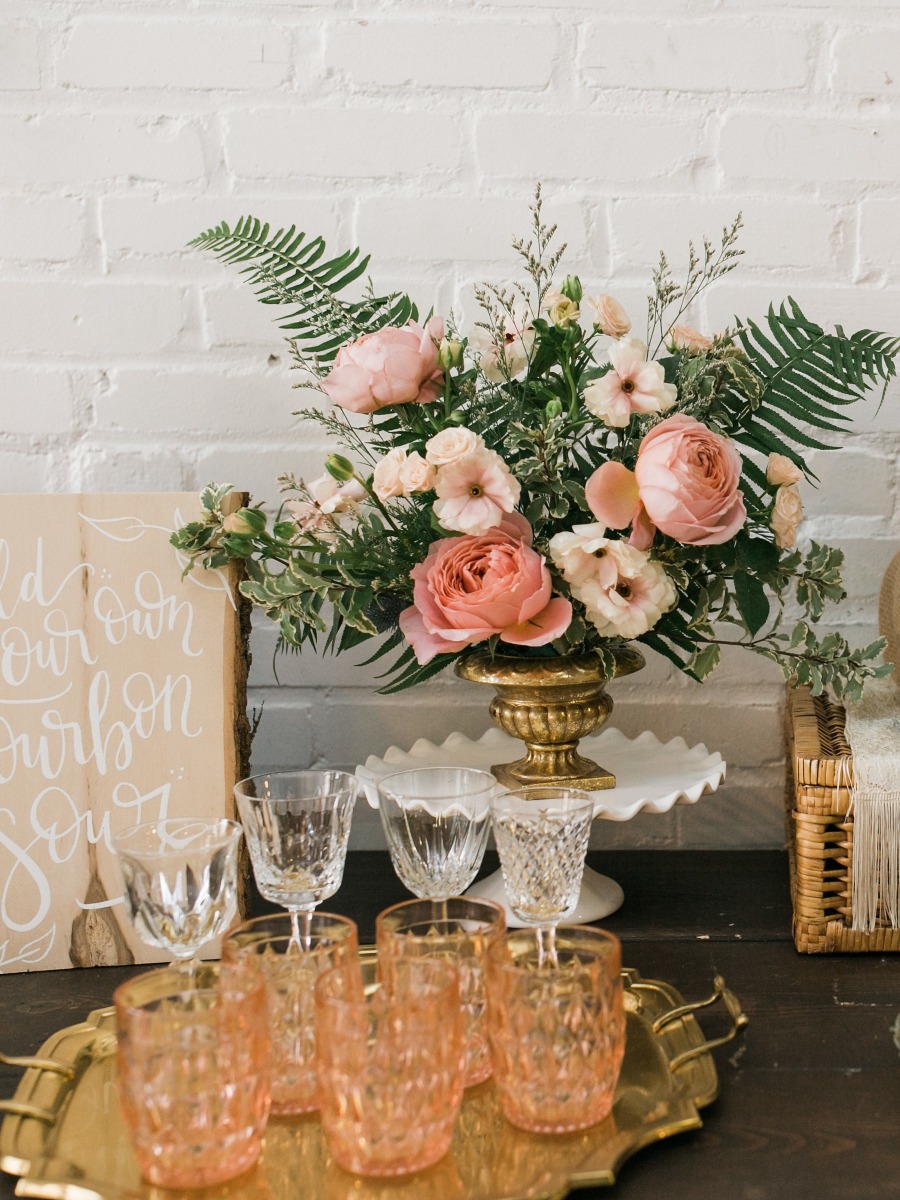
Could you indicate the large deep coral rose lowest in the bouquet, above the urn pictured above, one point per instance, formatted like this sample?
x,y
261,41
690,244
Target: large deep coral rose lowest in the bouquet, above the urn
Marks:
x,y
473,587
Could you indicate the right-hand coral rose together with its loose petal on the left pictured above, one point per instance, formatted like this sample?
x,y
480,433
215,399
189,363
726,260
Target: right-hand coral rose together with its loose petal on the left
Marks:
x,y
686,484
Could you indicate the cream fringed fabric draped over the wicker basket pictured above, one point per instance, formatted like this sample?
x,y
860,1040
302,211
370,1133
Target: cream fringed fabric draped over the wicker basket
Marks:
x,y
874,737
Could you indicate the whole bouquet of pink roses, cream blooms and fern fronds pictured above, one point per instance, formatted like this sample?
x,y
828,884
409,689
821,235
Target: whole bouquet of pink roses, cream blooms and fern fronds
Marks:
x,y
545,483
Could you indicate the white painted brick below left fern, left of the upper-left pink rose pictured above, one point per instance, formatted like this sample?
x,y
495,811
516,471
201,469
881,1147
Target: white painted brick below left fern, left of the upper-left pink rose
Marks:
x,y
205,403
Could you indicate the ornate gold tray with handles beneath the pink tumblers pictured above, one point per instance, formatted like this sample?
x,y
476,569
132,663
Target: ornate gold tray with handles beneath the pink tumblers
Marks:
x,y
64,1137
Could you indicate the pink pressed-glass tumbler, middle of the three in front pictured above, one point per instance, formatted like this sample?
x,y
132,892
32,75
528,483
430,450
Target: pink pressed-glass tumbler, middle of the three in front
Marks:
x,y
392,1053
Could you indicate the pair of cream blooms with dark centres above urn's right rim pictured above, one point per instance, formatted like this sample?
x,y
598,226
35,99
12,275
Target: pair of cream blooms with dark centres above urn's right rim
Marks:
x,y
623,591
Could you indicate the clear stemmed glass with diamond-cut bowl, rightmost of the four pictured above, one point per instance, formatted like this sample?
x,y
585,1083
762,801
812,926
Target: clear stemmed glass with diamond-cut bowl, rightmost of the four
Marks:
x,y
542,835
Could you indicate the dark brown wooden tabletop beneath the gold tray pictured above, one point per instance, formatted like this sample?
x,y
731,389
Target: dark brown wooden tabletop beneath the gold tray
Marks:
x,y
809,1101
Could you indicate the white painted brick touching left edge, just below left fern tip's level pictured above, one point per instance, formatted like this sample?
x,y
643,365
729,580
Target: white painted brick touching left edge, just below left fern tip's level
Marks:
x,y
99,319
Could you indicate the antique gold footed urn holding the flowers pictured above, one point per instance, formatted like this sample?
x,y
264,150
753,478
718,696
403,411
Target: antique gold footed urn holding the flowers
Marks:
x,y
550,704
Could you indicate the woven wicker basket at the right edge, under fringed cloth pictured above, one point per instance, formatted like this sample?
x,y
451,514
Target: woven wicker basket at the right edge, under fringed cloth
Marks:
x,y
820,831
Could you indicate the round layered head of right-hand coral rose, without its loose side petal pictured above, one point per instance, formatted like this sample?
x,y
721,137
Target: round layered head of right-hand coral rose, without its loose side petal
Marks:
x,y
688,479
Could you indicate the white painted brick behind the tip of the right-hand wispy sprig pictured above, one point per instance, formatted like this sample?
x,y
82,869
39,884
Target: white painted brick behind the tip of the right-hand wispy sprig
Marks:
x,y
777,235
